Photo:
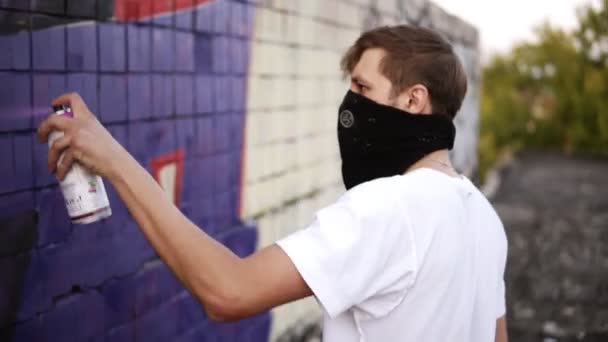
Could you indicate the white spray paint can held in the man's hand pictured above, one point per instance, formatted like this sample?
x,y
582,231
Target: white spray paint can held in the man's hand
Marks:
x,y
83,191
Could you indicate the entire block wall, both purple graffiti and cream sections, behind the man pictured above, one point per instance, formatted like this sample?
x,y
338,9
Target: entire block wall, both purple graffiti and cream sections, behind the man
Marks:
x,y
204,86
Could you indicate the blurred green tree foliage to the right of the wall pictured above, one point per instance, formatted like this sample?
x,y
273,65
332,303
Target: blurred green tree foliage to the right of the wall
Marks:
x,y
550,94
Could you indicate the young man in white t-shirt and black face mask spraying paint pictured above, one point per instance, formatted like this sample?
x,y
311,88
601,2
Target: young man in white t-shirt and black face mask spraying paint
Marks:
x,y
411,252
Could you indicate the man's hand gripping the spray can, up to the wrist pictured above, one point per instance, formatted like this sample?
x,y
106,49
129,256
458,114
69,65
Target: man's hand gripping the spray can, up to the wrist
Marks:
x,y
85,140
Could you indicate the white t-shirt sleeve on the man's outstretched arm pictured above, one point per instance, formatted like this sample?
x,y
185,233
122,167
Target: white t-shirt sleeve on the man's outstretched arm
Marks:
x,y
358,252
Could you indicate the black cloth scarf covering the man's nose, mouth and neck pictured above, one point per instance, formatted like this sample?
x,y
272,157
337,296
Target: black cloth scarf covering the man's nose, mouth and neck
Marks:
x,y
382,141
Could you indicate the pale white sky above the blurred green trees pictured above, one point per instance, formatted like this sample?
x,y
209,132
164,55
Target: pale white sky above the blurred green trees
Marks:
x,y
504,22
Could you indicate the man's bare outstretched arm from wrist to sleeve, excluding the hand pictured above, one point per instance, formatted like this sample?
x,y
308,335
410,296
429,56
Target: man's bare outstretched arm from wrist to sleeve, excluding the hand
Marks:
x,y
226,285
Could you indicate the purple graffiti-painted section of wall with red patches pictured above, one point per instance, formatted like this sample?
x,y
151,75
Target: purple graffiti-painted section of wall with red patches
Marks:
x,y
168,79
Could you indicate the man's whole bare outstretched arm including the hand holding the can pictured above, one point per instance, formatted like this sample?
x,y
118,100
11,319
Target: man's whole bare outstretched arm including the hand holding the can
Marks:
x,y
227,286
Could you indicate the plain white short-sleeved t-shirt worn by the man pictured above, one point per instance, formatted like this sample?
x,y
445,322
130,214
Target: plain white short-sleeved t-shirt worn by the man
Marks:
x,y
414,257
